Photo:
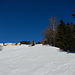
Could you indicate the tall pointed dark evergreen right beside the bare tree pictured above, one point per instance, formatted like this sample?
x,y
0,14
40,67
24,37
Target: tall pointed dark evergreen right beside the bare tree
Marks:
x,y
60,37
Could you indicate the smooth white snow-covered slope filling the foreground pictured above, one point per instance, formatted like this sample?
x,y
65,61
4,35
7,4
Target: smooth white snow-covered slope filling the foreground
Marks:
x,y
36,60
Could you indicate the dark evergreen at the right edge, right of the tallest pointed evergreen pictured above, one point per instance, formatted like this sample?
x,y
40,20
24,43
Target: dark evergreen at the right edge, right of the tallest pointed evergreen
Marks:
x,y
70,37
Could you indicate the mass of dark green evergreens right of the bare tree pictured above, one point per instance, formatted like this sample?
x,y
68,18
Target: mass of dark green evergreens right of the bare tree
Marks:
x,y
65,38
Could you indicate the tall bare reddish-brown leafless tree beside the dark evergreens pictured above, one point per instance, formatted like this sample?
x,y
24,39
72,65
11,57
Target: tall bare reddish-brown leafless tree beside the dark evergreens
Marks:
x,y
50,31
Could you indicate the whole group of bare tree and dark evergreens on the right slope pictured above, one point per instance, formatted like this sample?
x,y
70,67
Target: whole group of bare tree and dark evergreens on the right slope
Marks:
x,y
60,35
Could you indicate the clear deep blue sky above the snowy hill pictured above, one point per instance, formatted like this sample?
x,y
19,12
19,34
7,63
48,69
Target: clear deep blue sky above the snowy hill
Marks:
x,y
24,20
